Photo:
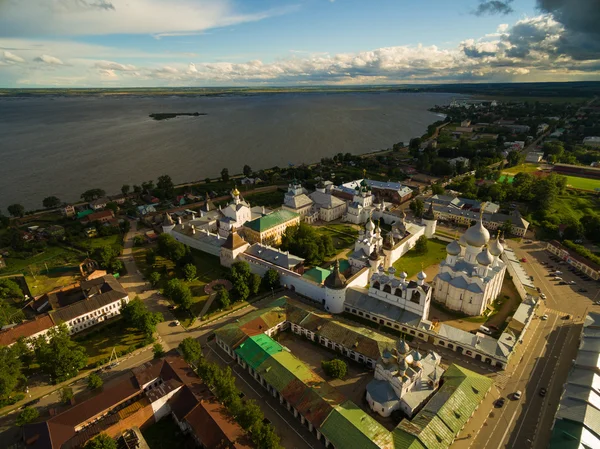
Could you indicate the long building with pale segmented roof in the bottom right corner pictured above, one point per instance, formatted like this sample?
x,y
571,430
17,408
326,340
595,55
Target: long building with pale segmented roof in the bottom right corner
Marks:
x,y
577,423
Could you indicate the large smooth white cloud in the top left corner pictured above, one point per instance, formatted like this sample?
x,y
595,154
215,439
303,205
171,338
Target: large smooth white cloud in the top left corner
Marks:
x,y
101,17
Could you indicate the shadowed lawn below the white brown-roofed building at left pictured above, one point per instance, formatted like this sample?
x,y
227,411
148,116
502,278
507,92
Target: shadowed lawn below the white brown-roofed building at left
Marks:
x,y
100,340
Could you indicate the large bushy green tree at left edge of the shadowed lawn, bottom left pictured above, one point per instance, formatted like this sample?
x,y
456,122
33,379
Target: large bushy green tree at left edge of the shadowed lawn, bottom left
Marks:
x,y
58,355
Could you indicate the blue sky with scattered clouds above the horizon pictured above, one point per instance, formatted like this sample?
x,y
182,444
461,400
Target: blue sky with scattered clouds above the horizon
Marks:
x,y
198,43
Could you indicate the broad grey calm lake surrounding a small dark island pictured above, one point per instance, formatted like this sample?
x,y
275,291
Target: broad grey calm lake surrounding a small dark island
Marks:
x,y
64,146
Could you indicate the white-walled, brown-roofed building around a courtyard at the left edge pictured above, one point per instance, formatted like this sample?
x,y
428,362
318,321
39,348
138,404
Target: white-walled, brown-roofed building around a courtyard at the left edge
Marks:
x,y
79,306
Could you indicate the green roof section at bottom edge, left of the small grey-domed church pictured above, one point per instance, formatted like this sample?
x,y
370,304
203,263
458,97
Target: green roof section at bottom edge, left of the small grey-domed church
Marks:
x,y
349,426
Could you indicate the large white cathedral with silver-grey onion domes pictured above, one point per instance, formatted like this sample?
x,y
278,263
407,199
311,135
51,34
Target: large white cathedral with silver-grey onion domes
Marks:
x,y
471,276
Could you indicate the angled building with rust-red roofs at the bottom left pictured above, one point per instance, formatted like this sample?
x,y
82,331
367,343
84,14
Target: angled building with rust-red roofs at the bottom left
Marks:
x,y
162,388
